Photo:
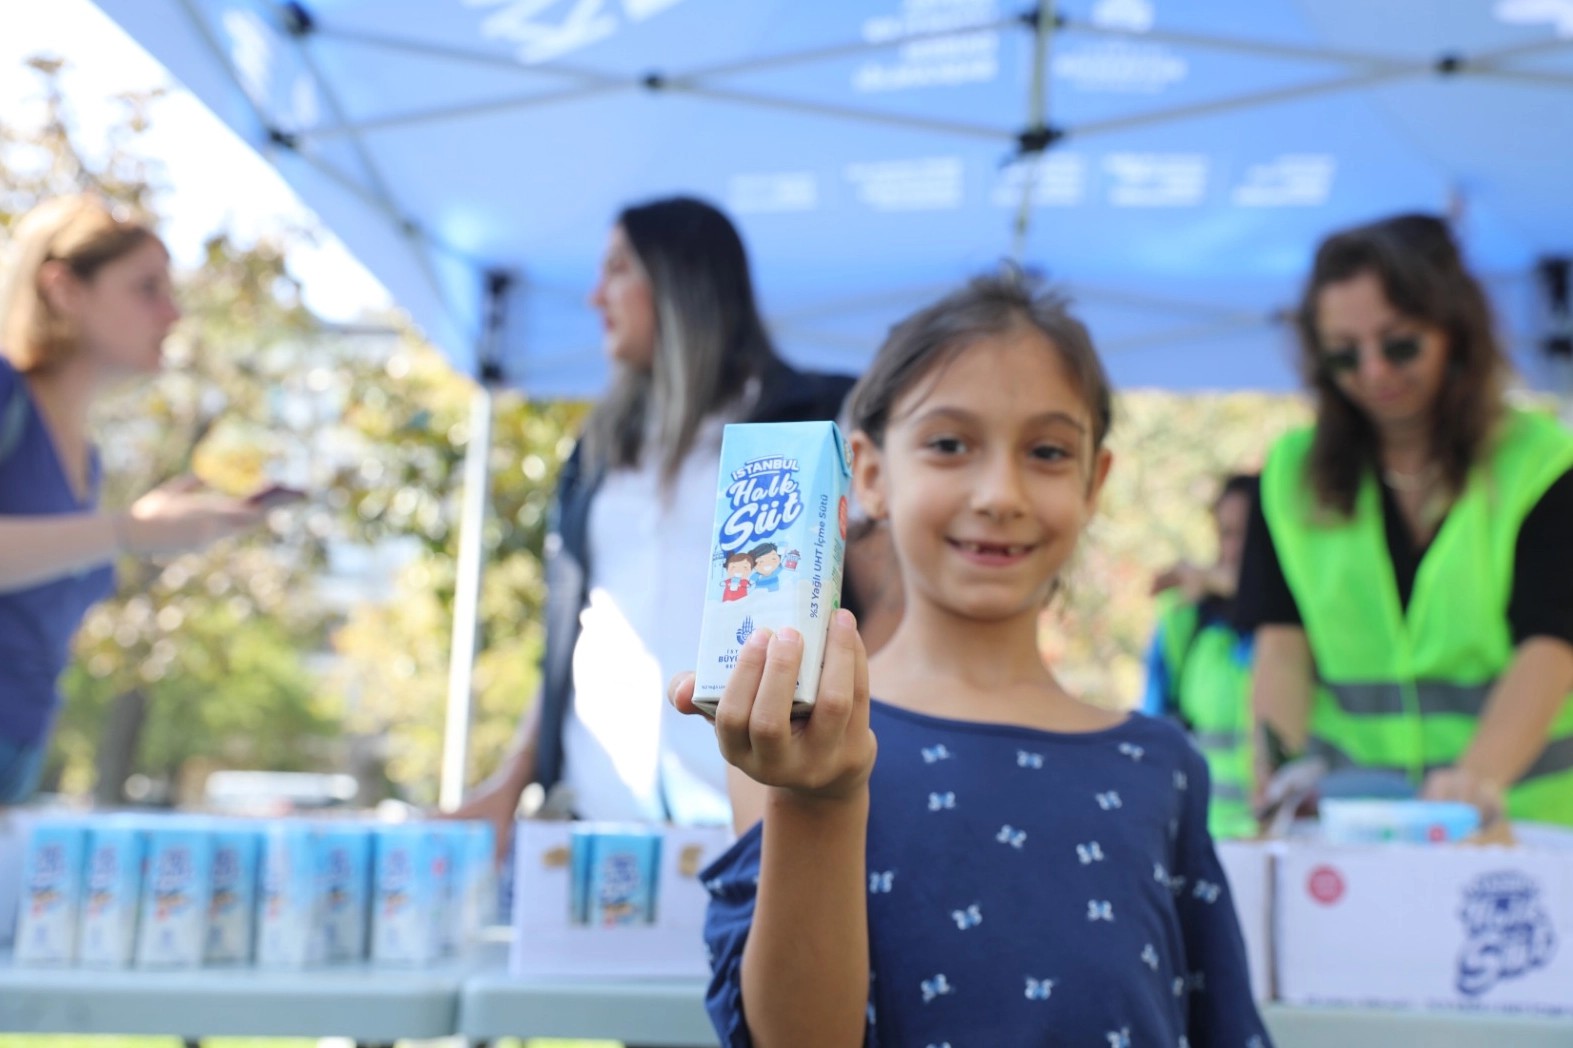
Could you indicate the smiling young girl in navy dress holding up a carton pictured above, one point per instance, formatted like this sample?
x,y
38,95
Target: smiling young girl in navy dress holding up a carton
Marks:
x,y
1019,868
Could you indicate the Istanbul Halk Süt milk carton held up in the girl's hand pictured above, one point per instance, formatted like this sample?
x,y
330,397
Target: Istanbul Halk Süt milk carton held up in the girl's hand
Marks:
x,y
776,559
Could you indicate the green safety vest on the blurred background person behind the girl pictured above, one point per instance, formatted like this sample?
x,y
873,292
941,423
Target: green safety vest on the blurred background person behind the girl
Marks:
x,y
1212,684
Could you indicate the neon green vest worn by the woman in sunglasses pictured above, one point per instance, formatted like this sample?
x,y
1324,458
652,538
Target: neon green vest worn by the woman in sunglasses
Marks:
x,y
1404,688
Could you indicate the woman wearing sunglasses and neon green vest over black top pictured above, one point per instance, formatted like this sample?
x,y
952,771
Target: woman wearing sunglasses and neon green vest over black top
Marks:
x,y
1409,569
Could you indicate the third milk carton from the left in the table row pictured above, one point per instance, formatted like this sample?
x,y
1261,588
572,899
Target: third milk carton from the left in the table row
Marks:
x,y
177,895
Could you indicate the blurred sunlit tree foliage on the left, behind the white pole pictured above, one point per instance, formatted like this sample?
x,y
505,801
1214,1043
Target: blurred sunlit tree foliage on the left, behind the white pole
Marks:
x,y
224,659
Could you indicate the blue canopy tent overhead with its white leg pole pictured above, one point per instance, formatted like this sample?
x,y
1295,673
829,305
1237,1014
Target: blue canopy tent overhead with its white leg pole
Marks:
x,y
1171,163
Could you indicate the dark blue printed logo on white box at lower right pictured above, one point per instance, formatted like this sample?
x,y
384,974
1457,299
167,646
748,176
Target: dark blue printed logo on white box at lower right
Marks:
x,y
1508,932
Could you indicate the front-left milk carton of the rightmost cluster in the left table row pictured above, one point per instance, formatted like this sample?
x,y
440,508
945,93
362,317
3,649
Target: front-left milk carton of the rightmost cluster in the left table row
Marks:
x,y
410,895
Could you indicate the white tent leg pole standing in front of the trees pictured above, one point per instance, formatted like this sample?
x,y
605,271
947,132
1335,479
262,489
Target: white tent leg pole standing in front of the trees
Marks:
x,y
466,600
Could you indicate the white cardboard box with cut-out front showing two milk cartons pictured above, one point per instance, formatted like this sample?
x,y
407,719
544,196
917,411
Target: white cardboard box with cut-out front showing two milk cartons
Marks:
x,y
547,942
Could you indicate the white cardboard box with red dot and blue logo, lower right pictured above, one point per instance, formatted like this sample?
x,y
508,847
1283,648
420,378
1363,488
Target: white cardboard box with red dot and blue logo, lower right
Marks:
x,y
1426,928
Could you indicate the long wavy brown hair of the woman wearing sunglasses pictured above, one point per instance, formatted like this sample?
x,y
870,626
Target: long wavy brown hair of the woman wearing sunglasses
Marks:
x,y
1423,275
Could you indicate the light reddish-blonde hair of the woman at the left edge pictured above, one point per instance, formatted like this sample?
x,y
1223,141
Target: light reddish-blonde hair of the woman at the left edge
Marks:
x,y
84,235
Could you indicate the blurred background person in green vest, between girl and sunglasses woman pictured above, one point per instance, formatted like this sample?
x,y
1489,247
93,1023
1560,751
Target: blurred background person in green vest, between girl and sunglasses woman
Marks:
x,y
1199,663
